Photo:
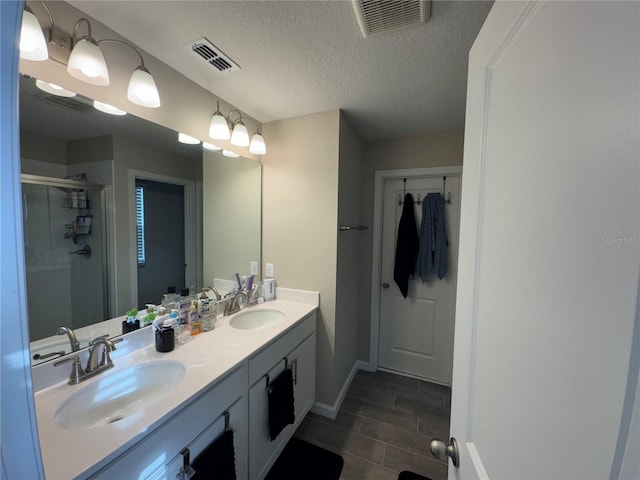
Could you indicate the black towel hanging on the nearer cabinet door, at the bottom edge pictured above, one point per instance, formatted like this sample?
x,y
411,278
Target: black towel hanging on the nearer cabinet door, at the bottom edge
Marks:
x,y
218,460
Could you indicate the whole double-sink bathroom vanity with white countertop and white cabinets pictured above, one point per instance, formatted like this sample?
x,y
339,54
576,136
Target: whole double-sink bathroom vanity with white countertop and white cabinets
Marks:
x,y
180,400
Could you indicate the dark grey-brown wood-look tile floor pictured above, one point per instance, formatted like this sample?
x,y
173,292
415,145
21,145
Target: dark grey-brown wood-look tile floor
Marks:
x,y
384,426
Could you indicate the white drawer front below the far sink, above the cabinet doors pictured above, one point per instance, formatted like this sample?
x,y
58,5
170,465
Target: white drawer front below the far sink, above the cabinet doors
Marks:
x,y
273,353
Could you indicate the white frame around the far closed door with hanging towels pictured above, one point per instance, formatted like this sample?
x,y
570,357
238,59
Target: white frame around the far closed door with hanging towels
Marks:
x,y
381,176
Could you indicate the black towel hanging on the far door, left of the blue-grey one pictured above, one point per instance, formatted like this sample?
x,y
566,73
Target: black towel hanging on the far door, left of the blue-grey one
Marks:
x,y
406,246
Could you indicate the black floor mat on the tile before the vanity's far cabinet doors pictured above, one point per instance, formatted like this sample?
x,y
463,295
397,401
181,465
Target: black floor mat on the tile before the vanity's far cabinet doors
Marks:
x,y
300,459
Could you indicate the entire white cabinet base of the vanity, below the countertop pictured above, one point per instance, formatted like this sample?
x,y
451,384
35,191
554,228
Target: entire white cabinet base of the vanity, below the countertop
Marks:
x,y
243,393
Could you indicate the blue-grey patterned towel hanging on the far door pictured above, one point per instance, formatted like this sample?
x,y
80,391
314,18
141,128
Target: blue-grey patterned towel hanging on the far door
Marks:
x,y
433,238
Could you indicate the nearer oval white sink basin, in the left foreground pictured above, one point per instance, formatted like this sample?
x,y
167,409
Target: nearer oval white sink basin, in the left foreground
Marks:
x,y
116,395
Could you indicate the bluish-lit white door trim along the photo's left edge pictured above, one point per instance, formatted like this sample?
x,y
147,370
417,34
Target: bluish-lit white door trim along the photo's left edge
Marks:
x,y
20,448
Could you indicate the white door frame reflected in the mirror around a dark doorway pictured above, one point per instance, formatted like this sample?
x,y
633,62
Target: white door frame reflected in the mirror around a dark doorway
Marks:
x,y
192,228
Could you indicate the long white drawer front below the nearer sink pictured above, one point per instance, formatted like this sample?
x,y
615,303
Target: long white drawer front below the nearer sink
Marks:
x,y
155,450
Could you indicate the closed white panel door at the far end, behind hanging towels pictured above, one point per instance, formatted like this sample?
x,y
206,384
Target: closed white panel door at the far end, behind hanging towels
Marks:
x,y
416,333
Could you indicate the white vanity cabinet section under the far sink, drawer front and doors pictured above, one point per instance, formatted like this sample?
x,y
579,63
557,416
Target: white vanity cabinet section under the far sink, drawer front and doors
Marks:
x,y
298,347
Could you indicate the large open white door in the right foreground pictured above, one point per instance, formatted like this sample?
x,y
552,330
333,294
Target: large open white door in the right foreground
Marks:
x,y
549,244
